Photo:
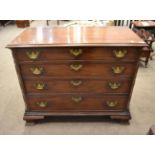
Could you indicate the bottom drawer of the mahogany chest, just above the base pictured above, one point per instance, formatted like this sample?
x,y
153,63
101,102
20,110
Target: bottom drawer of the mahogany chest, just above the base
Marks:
x,y
75,102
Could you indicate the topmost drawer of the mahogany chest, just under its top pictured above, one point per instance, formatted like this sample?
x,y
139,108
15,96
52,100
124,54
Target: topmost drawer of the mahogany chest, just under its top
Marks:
x,y
82,53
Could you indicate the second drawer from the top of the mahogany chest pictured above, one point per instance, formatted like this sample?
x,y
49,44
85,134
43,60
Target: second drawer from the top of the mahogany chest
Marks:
x,y
78,69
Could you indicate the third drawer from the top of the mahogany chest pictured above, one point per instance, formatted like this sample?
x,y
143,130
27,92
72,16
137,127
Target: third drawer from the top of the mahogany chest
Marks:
x,y
77,85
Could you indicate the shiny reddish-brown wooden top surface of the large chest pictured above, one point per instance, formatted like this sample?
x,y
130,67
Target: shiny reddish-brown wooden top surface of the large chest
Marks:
x,y
77,36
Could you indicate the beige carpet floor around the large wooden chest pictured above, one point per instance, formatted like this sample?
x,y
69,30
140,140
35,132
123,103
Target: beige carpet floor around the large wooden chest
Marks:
x,y
12,107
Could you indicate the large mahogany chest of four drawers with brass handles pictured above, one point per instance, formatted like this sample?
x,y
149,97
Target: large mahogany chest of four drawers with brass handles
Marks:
x,y
77,71
